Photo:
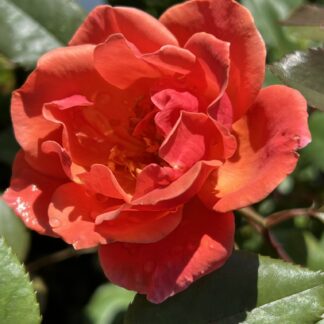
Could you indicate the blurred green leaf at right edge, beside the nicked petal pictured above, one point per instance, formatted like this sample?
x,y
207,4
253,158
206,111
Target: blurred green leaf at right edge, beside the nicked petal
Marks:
x,y
314,152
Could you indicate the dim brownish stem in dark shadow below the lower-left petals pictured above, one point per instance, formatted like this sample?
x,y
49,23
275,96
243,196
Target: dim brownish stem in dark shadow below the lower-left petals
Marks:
x,y
55,258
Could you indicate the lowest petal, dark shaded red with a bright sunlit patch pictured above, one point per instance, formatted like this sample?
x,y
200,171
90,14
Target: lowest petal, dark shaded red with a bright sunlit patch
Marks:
x,y
200,244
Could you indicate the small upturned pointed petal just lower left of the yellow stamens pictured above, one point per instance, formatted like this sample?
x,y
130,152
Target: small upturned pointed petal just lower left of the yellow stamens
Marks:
x,y
100,179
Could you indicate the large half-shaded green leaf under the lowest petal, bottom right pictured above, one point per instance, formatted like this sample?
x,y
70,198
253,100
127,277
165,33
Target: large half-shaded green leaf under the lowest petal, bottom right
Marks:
x,y
248,289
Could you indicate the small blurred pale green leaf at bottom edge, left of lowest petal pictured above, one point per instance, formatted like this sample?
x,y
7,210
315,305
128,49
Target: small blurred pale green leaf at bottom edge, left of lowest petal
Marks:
x,y
107,303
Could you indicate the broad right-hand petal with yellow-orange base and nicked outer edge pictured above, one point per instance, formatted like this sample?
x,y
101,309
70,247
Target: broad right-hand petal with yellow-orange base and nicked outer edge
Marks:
x,y
274,128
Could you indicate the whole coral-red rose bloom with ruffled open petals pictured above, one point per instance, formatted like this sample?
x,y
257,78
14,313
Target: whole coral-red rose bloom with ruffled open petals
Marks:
x,y
143,135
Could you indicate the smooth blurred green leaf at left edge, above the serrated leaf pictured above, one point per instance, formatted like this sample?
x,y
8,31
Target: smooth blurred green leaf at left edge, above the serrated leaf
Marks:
x,y
14,231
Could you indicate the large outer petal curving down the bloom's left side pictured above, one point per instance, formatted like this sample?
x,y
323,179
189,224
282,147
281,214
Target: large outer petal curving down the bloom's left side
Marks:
x,y
59,74
